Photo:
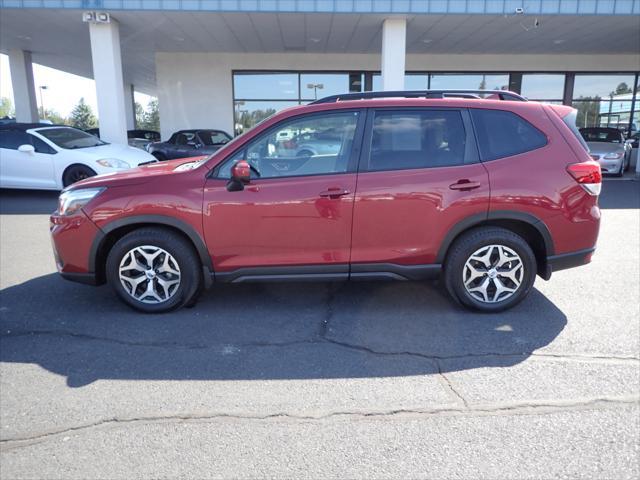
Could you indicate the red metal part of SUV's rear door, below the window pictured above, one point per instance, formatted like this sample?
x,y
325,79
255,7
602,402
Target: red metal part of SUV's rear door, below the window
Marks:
x,y
403,216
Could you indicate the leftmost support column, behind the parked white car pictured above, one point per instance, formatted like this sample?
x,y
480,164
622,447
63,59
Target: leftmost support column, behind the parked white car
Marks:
x,y
24,90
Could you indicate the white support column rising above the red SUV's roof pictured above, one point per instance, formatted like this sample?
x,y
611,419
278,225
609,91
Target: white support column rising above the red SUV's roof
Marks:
x,y
394,39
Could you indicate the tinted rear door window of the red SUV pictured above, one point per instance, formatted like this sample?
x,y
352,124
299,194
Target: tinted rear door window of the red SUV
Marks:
x,y
407,139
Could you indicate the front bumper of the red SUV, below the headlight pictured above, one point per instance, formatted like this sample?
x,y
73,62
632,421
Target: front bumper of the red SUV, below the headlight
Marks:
x,y
72,238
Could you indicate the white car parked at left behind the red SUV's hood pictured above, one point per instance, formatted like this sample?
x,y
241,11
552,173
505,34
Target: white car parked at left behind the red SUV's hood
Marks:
x,y
51,157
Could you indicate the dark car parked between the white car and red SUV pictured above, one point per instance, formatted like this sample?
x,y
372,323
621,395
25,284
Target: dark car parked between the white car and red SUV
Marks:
x,y
189,143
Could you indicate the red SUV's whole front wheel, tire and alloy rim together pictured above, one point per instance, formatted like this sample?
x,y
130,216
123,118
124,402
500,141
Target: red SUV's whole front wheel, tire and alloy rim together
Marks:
x,y
154,270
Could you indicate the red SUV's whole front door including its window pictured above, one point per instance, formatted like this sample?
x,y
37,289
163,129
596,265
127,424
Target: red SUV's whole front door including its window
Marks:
x,y
297,209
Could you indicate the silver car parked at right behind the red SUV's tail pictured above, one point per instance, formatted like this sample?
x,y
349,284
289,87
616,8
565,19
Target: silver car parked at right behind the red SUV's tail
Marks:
x,y
609,147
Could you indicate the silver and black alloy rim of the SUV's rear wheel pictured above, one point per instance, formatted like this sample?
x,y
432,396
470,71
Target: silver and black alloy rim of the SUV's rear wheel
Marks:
x,y
493,273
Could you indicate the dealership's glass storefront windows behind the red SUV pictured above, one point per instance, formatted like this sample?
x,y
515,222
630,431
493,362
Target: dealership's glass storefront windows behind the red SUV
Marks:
x,y
604,100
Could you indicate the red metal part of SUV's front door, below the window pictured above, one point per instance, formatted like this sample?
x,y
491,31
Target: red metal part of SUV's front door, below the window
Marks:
x,y
278,222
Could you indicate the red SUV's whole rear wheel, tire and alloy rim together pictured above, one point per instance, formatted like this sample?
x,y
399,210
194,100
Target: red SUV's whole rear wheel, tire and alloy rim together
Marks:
x,y
490,269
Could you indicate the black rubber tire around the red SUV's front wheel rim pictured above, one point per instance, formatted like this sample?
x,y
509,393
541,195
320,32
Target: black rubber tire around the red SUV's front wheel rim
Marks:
x,y
178,247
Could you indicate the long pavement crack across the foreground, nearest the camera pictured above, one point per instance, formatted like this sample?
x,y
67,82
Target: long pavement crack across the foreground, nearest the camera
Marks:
x,y
518,408
